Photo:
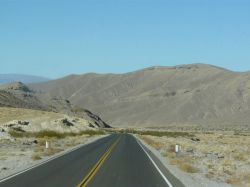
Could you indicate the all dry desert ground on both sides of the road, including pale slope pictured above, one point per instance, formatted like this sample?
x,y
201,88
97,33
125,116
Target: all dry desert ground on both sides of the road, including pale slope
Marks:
x,y
206,158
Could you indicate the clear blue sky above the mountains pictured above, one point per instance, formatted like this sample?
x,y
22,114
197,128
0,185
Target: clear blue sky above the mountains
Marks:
x,y
54,38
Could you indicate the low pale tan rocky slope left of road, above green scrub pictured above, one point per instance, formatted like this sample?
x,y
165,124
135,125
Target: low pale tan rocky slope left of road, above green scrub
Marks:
x,y
19,120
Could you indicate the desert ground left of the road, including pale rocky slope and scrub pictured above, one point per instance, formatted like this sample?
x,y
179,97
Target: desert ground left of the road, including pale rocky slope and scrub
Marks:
x,y
24,133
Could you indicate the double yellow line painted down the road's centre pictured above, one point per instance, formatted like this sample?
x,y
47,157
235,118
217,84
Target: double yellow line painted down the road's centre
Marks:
x,y
97,166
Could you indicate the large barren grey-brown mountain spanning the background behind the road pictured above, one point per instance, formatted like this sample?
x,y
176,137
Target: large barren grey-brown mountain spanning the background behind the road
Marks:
x,y
160,96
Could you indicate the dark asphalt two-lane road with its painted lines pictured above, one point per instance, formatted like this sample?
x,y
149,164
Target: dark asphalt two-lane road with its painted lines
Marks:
x,y
113,161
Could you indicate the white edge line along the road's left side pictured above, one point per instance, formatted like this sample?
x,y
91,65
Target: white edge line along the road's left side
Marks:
x,y
46,161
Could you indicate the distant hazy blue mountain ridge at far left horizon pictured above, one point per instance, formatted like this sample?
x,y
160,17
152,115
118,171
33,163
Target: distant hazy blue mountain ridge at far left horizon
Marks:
x,y
9,78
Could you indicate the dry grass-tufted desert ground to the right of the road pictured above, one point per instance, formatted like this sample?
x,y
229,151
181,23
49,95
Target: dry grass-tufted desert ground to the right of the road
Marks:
x,y
222,157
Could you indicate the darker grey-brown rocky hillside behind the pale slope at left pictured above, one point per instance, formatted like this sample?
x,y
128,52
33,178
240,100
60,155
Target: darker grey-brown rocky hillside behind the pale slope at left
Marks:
x,y
19,95
